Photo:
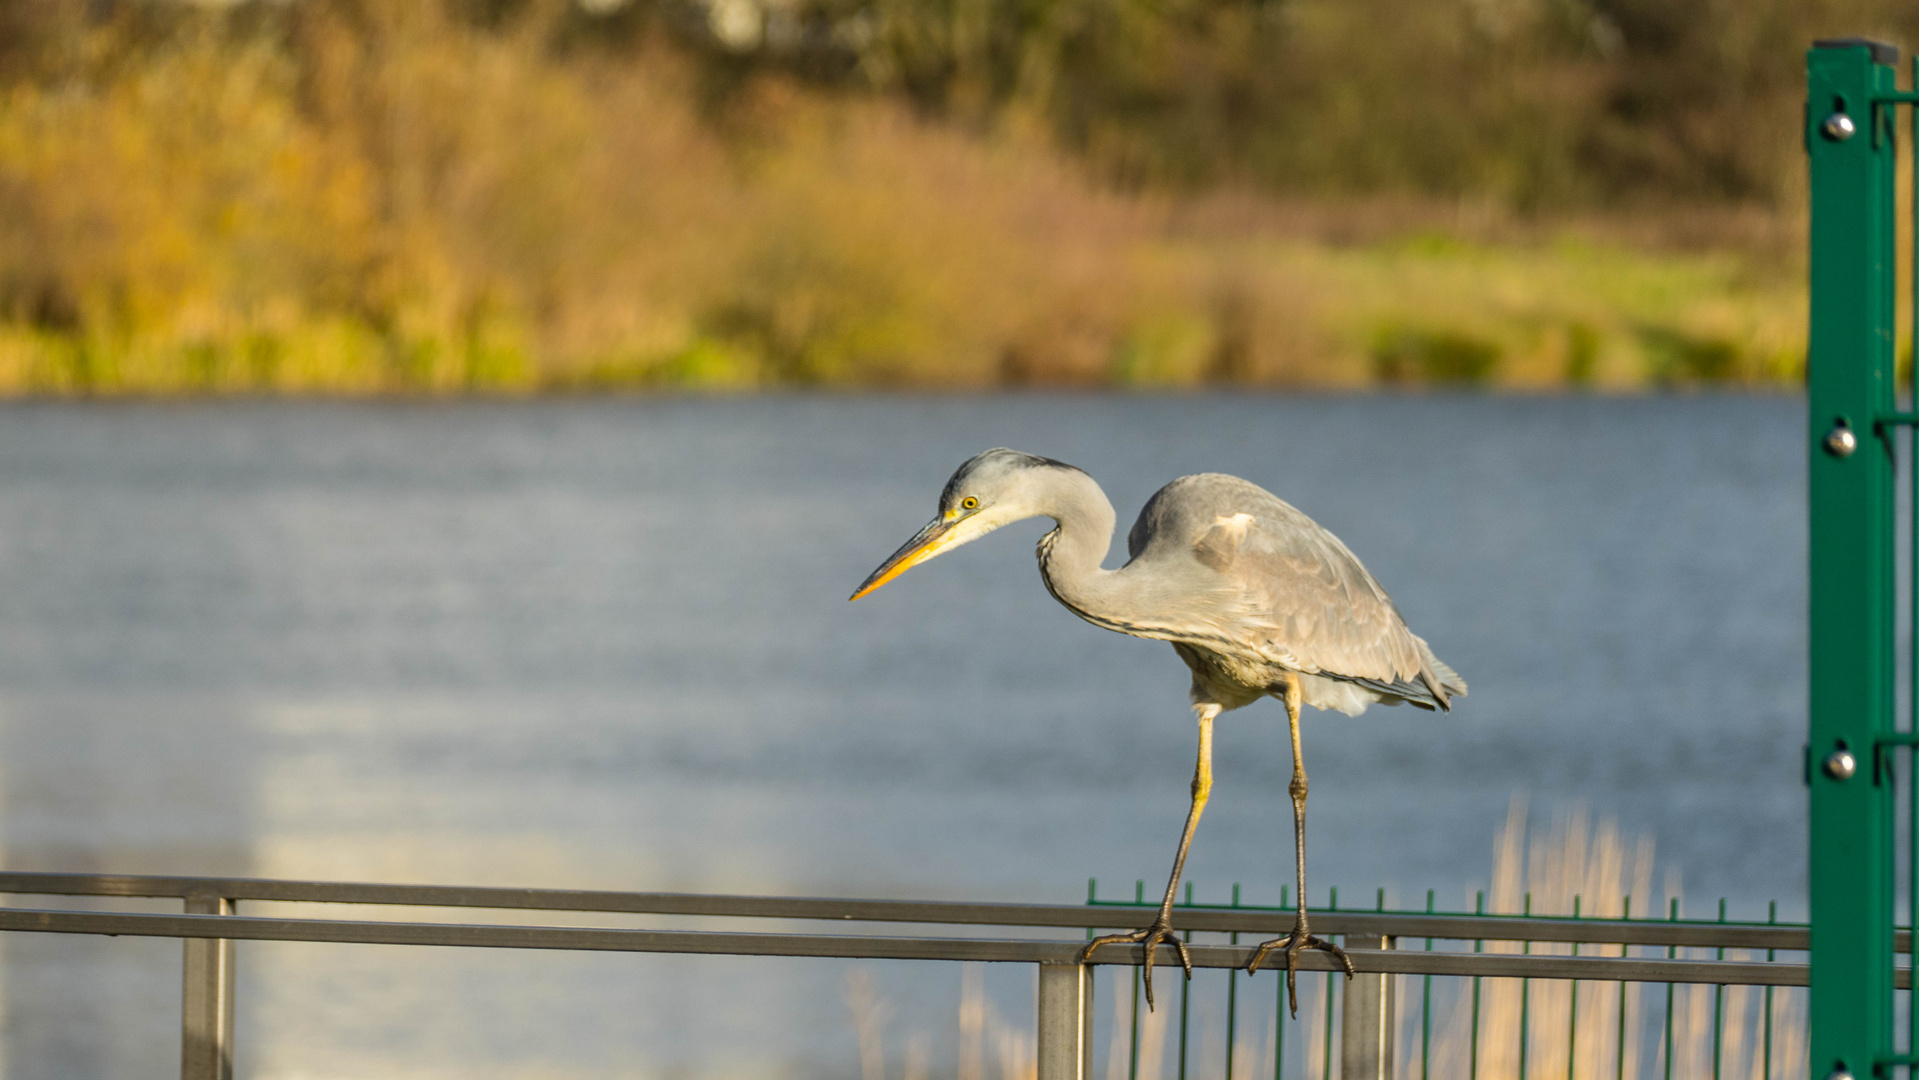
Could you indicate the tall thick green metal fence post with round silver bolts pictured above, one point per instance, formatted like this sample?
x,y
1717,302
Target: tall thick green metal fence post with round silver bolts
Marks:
x,y
1851,513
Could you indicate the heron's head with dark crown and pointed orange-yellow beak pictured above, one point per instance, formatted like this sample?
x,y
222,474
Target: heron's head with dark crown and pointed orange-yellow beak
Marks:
x,y
991,490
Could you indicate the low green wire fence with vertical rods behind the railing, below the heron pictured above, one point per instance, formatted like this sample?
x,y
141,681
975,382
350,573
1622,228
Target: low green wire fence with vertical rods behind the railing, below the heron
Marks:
x,y
1356,1031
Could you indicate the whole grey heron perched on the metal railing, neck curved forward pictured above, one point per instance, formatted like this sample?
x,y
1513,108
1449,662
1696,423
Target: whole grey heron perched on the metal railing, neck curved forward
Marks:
x,y
1256,598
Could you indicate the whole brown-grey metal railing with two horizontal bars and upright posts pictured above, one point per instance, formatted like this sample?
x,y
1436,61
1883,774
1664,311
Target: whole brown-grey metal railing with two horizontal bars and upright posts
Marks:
x,y
212,926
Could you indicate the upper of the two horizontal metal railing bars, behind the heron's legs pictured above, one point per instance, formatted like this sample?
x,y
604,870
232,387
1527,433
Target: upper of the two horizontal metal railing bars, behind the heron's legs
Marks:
x,y
1200,920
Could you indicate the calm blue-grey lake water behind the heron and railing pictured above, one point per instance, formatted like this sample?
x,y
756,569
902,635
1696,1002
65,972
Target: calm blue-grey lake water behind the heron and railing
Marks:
x,y
607,646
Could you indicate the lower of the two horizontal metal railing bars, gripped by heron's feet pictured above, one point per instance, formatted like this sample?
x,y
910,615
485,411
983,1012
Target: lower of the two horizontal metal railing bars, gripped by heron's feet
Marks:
x,y
594,939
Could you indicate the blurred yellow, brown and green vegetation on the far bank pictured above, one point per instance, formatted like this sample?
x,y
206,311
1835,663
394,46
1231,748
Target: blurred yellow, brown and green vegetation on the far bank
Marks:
x,y
513,197
